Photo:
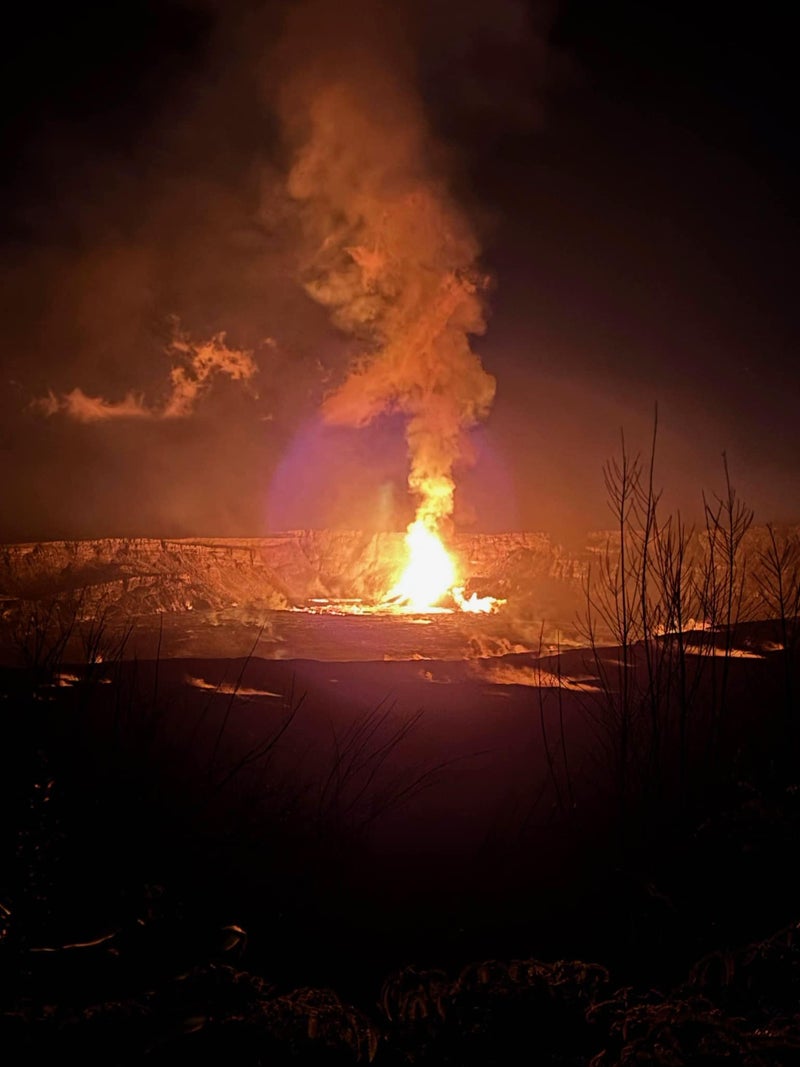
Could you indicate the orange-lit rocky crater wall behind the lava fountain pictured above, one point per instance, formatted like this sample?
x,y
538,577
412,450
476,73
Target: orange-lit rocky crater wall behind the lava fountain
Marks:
x,y
138,577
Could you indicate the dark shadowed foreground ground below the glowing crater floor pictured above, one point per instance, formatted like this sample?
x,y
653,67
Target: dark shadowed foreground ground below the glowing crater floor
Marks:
x,y
436,861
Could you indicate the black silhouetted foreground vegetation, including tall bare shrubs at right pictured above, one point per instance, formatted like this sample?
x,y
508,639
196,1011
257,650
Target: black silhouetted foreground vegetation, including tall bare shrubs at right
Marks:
x,y
183,883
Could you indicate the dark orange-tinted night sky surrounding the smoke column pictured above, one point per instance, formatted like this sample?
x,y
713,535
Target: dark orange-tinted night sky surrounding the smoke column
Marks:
x,y
631,171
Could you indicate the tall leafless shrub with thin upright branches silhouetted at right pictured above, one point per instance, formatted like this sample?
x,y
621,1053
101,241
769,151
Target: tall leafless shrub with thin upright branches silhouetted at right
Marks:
x,y
669,601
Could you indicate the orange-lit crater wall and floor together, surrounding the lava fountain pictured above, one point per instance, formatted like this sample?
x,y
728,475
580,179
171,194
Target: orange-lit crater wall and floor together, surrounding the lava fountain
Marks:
x,y
225,597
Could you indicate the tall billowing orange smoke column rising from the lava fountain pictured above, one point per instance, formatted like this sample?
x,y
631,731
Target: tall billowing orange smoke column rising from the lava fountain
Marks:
x,y
390,253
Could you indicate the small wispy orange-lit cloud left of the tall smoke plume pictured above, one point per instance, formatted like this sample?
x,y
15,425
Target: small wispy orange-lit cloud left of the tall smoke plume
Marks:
x,y
196,367
